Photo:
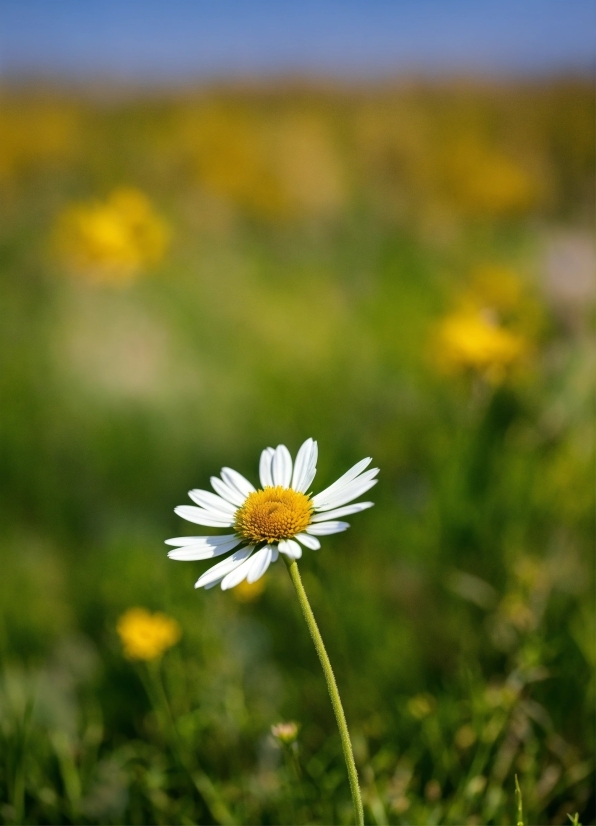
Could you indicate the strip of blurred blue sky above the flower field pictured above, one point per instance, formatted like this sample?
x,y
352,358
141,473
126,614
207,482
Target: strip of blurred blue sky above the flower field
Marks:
x,y
177,40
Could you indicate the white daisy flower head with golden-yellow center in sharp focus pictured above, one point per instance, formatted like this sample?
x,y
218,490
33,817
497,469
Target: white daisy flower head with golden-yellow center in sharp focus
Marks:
x,y
279,517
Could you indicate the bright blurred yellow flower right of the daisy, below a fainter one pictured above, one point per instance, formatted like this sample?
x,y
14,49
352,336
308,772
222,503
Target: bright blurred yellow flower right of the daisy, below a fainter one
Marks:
x,y
472,339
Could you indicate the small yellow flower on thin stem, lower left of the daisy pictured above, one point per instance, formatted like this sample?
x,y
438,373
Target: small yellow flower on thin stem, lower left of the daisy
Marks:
x,y
145,636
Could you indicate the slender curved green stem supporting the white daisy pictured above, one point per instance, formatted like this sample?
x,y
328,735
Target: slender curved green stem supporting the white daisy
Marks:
x,y
332,688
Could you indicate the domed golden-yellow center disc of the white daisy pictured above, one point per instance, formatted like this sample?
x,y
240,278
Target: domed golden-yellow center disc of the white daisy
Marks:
x,y
272,514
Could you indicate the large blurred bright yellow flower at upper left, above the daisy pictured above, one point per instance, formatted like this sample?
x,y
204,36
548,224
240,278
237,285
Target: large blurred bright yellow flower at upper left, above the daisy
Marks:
x,y
112,240
